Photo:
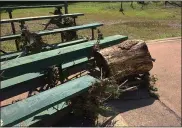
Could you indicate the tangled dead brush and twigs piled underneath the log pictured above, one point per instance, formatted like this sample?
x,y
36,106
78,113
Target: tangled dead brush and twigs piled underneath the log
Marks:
x,y
91,103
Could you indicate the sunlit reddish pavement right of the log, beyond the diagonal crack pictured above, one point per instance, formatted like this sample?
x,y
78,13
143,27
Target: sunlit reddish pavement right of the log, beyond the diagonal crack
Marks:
x,y
168,70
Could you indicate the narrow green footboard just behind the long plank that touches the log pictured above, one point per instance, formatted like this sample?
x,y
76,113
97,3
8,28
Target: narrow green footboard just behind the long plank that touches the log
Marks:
x,y
57,45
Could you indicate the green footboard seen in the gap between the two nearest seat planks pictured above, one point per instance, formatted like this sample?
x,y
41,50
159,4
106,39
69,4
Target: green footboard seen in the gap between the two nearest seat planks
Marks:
x,y
30,76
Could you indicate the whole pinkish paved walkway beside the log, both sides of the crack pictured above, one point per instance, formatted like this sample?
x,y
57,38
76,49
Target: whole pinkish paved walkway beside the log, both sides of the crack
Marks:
x,y
146,111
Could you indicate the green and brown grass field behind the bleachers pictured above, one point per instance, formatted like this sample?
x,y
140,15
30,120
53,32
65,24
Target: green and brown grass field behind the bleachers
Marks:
x,y
153,22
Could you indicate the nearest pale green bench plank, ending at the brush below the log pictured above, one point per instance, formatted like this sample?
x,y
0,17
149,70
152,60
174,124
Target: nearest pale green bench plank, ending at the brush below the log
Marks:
x,y
22,110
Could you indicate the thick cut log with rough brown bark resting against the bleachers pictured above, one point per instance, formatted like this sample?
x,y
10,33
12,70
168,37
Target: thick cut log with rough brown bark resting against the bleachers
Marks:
x,y
125,59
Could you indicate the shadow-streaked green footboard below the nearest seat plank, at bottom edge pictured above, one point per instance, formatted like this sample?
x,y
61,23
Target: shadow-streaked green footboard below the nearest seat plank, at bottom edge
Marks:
x,y
48,112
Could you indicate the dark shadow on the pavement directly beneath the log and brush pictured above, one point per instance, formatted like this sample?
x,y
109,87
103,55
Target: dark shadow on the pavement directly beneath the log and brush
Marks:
x,y
128,101
